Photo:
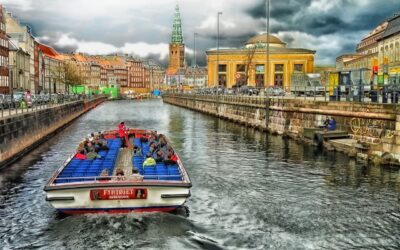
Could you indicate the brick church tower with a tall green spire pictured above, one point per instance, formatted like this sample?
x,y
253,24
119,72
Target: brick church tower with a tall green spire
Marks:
x,y
176,47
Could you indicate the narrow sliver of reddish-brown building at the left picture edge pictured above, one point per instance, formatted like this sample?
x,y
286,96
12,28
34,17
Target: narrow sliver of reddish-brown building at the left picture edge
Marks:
x,y
4,55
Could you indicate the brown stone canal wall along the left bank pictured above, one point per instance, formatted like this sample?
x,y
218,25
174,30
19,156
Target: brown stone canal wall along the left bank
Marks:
x,y
21,133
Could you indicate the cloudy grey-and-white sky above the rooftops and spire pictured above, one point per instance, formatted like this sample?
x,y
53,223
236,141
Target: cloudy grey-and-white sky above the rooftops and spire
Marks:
x,y
143,27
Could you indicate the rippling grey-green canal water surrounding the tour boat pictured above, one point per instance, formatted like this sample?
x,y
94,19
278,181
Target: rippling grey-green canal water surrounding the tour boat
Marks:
x,y
250,191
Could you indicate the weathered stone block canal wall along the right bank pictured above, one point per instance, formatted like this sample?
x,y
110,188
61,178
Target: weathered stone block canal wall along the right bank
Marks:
x,y
376,127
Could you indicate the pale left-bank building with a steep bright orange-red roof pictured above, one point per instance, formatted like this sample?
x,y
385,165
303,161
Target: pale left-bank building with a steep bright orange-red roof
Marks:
x,y
53,70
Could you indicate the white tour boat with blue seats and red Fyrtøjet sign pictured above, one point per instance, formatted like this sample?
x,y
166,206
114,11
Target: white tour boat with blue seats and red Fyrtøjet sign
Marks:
x,y
77,187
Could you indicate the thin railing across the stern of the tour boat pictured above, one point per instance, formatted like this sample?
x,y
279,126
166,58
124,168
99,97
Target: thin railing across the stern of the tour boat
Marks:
x,y
117,178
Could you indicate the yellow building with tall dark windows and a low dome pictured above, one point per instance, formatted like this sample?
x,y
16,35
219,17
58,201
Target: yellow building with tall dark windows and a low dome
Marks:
x,y
247,65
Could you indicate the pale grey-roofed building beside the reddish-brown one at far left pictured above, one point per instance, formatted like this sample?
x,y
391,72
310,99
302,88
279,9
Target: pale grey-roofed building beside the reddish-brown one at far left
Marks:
x,y
21,37
